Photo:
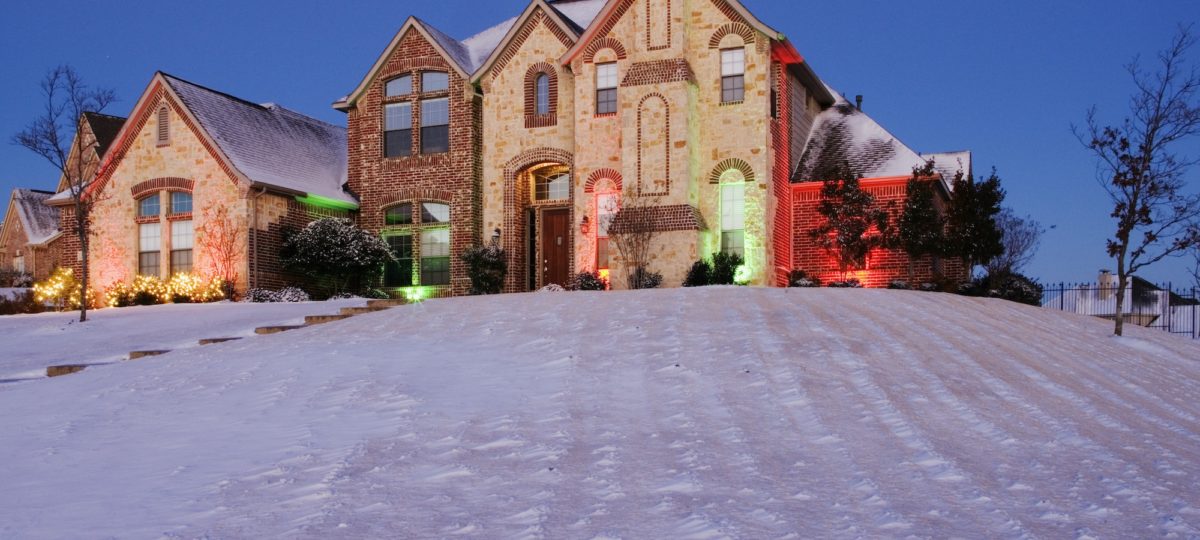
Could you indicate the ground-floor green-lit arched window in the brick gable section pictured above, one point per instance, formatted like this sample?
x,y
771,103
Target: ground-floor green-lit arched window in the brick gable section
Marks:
x,y
421,244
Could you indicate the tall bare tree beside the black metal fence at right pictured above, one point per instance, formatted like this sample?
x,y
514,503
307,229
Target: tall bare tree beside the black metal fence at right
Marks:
x,y
1139,165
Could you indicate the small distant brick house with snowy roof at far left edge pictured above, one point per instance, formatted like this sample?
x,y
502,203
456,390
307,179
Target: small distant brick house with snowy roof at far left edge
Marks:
x,y
29,233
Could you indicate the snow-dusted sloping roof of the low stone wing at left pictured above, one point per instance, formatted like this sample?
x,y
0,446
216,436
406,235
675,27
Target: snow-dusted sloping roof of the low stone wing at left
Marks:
x,y
271,145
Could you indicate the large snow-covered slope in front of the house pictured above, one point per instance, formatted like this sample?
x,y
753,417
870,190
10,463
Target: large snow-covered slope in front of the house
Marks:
x,y
687,413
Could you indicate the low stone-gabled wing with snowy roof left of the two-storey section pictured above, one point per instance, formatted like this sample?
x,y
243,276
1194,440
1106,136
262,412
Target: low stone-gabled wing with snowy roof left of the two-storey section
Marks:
x,y
191,160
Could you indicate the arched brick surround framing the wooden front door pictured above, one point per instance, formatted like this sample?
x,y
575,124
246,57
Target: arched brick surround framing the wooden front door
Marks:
x,y
517,201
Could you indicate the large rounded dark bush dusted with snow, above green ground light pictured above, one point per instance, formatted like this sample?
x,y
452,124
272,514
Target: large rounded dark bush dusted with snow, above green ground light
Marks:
x,y
337,254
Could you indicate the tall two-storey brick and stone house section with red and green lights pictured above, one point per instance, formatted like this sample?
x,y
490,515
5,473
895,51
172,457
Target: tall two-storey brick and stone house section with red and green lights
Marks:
x,y
543,127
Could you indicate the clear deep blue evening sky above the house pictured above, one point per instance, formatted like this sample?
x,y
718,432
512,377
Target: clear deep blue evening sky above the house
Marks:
x,y
1004,80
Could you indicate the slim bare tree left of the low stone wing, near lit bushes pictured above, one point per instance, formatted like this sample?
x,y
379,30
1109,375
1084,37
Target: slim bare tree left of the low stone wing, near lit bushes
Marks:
x,y
51,135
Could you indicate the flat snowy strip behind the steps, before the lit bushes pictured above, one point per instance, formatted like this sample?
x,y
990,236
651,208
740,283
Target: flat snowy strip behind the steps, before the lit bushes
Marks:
x,y
32,343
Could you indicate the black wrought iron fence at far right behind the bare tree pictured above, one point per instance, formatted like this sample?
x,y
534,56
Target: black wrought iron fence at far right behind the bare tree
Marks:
x,y
1150,305
